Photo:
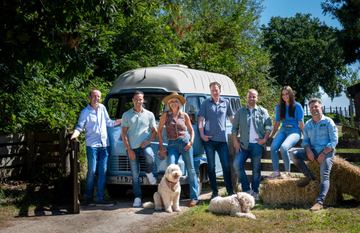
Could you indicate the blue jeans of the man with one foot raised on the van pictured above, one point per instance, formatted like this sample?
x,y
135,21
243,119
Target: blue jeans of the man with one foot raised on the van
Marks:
x,y
148,154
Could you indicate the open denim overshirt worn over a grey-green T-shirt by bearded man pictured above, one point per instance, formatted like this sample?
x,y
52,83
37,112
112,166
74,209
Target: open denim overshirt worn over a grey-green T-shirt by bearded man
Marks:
x,y
261,120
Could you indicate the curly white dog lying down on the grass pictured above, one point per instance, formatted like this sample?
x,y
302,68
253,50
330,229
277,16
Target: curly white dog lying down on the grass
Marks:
x,y
236,205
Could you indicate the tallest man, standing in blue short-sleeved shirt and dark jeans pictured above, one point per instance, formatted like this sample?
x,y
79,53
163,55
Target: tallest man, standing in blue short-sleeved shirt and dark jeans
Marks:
x,y
215,110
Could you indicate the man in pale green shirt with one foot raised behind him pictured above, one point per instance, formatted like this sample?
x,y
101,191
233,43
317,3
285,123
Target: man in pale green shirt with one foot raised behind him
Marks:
x,y
138,131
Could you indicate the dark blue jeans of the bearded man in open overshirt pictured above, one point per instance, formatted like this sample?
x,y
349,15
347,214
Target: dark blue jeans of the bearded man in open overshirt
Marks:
x,y
255,152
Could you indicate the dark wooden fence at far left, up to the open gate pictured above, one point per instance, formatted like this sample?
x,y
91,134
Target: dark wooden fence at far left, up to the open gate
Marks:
x,y
21,154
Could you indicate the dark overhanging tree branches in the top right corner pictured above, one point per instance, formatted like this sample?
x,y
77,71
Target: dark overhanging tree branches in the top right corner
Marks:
x,y
348,14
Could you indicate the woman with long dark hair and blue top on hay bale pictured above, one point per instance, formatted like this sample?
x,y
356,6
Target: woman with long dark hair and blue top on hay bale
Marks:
x,y
291,115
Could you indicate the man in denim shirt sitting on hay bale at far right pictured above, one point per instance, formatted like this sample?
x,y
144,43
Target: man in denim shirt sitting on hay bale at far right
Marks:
x,y
319,142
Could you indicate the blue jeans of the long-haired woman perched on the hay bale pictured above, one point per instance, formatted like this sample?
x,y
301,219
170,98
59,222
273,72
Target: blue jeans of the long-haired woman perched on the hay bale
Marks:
x,y
285,139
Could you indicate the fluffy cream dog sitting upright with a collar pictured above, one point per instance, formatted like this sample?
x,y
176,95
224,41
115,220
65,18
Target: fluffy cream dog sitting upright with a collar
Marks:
x,y
168,191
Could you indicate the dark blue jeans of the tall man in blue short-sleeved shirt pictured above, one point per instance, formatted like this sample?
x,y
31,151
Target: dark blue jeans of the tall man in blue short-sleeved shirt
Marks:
x,y
223,152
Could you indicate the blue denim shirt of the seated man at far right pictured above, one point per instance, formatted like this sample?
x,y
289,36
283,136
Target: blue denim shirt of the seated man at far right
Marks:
x,y
323,134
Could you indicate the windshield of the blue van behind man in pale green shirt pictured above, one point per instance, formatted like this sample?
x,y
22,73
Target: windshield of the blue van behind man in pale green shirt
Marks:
x,y
118,104
